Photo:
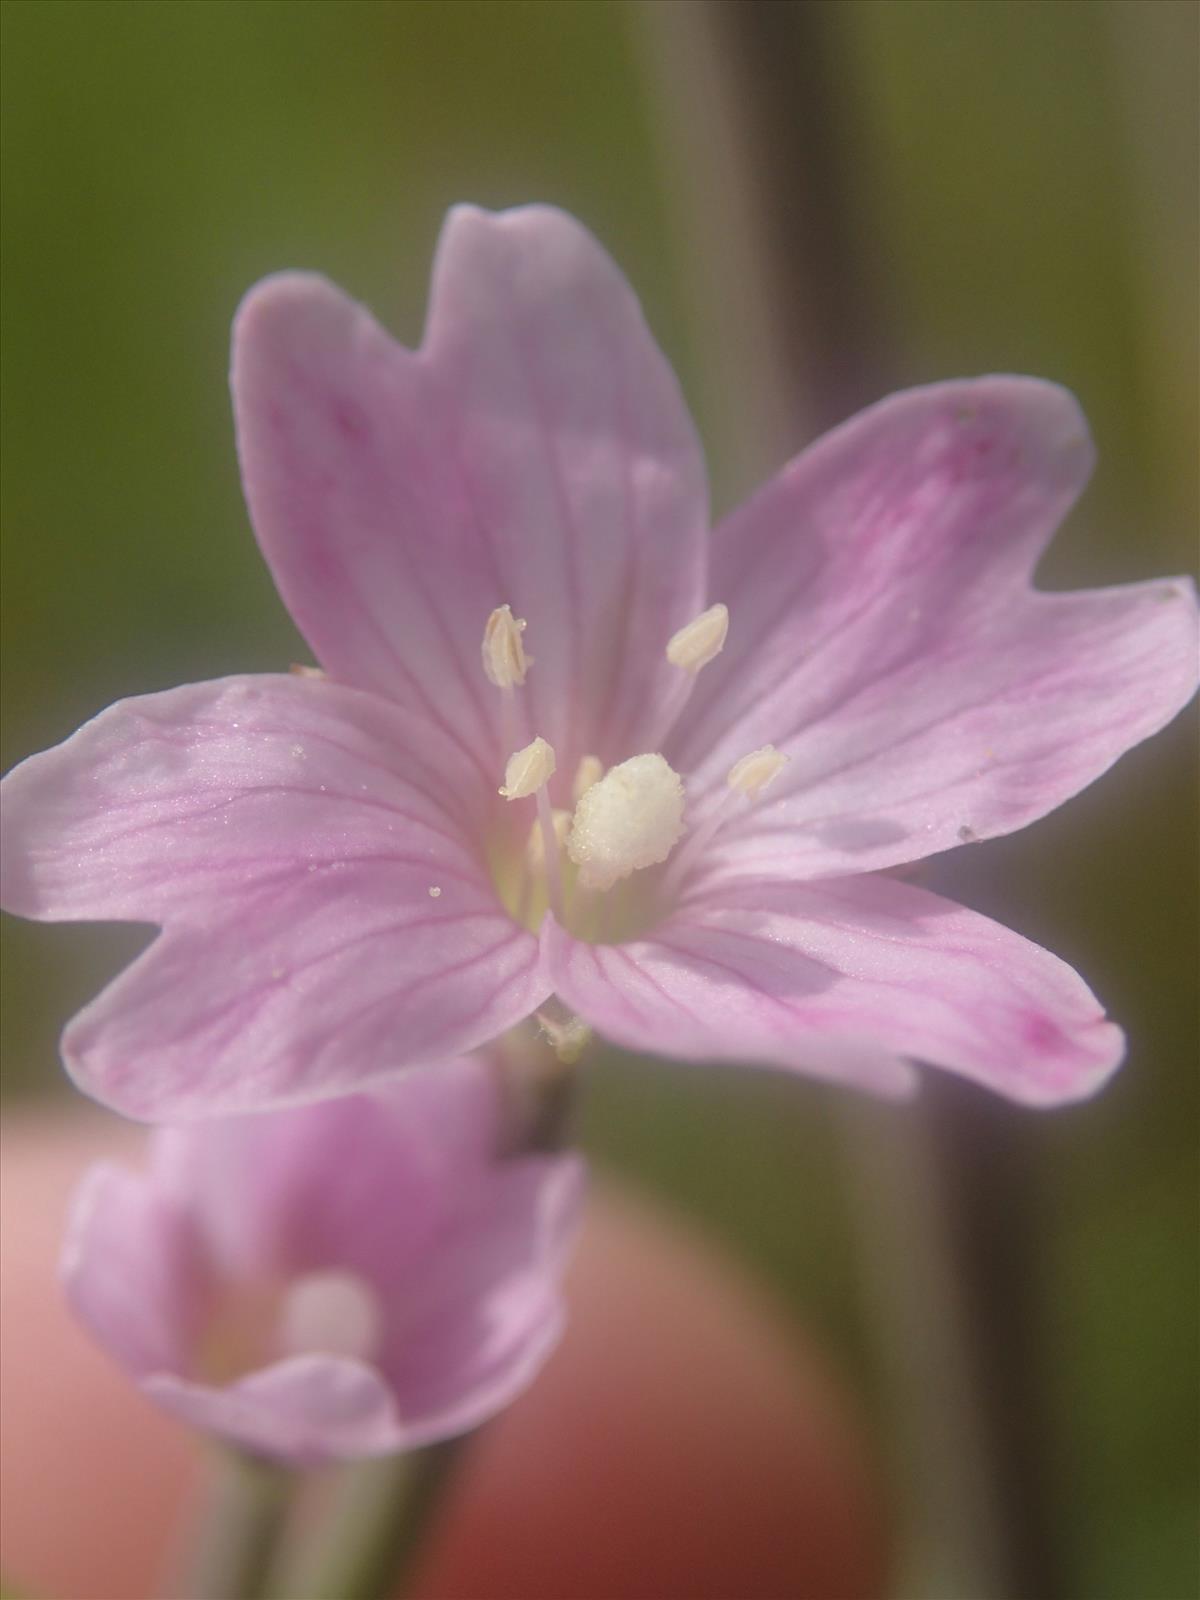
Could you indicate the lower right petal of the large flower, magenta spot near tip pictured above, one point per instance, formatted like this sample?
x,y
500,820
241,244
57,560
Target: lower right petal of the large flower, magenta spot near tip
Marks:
x,y
849,978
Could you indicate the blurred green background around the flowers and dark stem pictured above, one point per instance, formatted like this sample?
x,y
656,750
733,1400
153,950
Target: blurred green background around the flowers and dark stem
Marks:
x,y
1023,188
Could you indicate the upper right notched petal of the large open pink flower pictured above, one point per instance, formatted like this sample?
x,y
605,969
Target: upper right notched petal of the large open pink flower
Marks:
x,y
884,636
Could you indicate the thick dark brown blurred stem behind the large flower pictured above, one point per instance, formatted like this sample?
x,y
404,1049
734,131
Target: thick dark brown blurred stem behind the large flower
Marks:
x,y
774,215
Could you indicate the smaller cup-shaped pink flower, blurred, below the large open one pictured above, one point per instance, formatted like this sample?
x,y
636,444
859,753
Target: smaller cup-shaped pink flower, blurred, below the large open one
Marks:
x,y
337,1281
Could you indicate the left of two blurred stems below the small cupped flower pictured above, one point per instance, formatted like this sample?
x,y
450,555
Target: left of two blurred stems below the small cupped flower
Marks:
x,y
241,1532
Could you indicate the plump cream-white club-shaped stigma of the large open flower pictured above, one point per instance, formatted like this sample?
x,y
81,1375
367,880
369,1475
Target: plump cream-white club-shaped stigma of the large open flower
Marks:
x,y
631,818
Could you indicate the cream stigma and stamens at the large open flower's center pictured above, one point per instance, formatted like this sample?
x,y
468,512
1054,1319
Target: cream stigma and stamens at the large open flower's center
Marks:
x,y
585,865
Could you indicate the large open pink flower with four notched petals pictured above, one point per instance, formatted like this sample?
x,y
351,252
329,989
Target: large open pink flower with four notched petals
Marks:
x,y
343,890
